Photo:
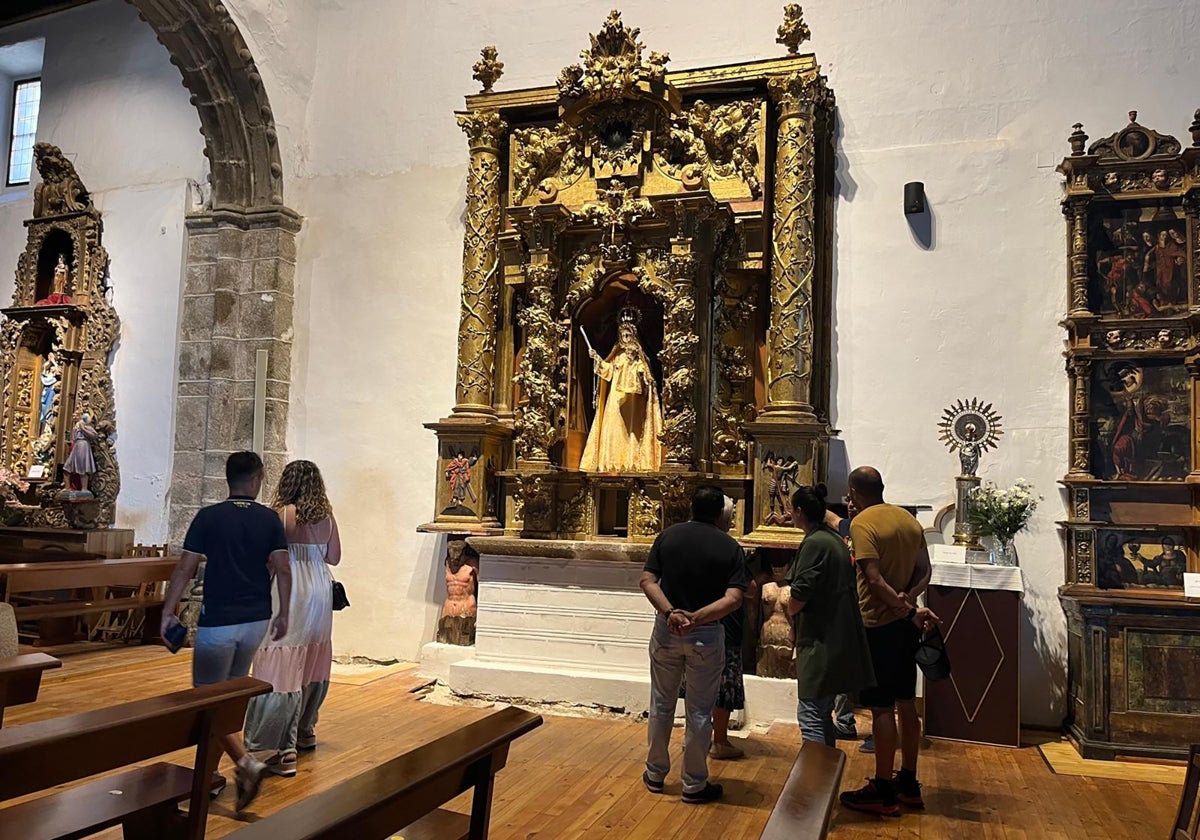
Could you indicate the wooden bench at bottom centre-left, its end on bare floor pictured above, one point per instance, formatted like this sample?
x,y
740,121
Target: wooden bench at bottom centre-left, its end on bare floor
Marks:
x,y
404,795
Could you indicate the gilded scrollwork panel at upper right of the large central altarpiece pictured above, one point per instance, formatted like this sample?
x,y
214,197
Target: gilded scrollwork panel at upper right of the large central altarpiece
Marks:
x,y
716,142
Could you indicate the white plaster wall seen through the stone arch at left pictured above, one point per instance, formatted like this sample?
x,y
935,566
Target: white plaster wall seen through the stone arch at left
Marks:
x,y
115,105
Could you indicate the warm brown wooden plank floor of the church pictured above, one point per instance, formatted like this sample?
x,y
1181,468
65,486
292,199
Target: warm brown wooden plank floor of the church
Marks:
x,y
581,777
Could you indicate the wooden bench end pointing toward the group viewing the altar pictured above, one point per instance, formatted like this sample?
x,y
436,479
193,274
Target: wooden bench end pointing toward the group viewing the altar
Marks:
x,y
806,803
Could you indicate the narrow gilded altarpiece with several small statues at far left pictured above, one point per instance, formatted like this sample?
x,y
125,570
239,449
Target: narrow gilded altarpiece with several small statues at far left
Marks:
x,y
56,343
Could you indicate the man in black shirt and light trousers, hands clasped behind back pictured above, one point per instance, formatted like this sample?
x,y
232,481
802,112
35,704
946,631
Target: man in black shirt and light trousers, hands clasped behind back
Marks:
x,y
694,577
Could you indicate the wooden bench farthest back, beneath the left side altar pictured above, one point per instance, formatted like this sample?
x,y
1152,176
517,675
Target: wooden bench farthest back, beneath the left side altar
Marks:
x,y
25,579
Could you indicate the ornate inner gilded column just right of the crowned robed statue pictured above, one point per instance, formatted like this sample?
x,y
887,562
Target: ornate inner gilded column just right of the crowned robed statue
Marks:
x,y
680,363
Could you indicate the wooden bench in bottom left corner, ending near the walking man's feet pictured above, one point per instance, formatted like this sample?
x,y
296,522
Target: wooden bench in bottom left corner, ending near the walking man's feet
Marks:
x,y
145,800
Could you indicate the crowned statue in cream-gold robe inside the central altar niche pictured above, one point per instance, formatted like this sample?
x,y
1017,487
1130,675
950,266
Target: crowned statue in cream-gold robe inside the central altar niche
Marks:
x,y
625,435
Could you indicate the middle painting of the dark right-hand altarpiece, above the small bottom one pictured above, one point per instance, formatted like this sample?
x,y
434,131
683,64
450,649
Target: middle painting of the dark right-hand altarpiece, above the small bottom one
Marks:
x,y
1141,421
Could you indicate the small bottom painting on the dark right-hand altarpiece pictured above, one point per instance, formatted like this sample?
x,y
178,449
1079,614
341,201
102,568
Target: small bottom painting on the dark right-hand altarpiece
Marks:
x,y
1148,559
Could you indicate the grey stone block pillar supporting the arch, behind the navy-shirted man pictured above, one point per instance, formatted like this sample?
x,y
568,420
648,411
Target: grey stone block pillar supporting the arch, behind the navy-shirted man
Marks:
x,y
238,299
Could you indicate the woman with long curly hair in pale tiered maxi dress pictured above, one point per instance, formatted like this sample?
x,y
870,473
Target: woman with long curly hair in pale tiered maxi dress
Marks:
x,y
298,665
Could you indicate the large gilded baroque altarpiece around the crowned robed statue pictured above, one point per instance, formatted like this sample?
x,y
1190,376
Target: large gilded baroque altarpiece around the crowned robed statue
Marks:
x,y
686,215
